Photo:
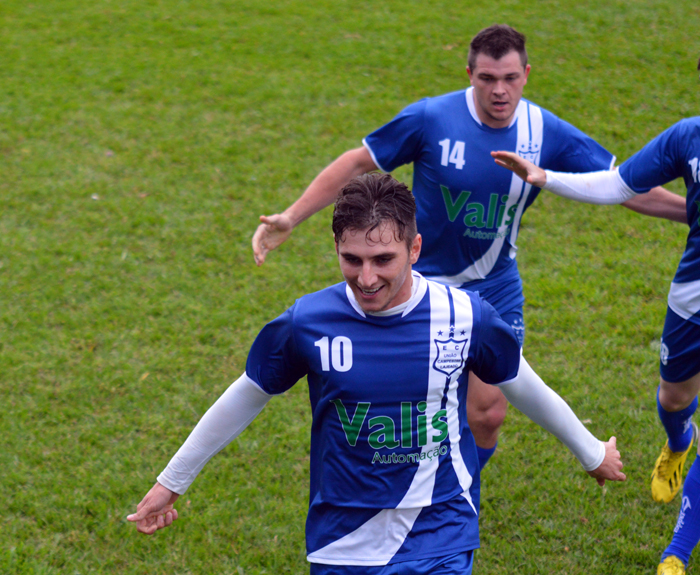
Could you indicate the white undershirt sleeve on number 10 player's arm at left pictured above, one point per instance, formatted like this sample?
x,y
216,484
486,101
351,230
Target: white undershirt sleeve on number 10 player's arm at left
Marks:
x,y
238,406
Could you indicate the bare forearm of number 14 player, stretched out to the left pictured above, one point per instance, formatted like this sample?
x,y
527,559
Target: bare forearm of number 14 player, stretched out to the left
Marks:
x,y
324,189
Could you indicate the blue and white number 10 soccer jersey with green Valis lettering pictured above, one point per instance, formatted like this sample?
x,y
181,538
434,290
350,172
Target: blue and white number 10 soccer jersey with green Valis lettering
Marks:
x,y
394,471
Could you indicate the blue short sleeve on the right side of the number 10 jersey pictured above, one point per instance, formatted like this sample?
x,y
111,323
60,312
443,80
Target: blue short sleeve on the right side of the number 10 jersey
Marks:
x,y
497,356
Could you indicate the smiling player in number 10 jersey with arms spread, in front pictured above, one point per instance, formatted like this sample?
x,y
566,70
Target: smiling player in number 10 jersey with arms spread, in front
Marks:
x,y
394,474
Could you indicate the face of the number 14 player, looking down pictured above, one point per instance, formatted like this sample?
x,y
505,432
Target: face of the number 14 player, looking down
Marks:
x,y
498,87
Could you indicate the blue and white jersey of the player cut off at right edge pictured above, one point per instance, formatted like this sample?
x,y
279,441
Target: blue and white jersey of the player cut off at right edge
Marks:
x,y
675,153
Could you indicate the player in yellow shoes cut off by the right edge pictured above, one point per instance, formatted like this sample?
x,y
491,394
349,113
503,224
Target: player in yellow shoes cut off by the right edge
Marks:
x,y
673,154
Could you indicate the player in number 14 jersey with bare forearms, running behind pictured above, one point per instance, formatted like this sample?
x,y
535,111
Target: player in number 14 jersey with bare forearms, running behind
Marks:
x,y
469,211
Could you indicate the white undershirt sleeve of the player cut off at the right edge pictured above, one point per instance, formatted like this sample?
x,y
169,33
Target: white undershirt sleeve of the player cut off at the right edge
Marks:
x,y
606,187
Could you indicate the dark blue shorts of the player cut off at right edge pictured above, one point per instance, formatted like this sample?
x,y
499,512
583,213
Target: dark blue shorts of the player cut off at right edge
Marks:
x,y
680,348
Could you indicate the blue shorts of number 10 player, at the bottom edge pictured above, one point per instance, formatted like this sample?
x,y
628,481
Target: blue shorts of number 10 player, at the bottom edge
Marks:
x,y
457,564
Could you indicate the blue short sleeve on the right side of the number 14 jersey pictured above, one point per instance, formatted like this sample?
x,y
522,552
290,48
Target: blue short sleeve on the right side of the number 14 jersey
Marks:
x,y
576,151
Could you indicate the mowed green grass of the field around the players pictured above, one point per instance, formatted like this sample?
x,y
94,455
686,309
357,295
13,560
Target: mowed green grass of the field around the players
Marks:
x,y
140,141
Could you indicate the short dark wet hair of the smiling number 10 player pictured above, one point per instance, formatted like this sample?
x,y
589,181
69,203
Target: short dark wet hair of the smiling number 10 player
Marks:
x,y
371,200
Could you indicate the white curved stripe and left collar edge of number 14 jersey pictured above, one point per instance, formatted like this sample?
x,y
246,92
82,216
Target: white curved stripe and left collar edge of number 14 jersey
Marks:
x,y
528,145
